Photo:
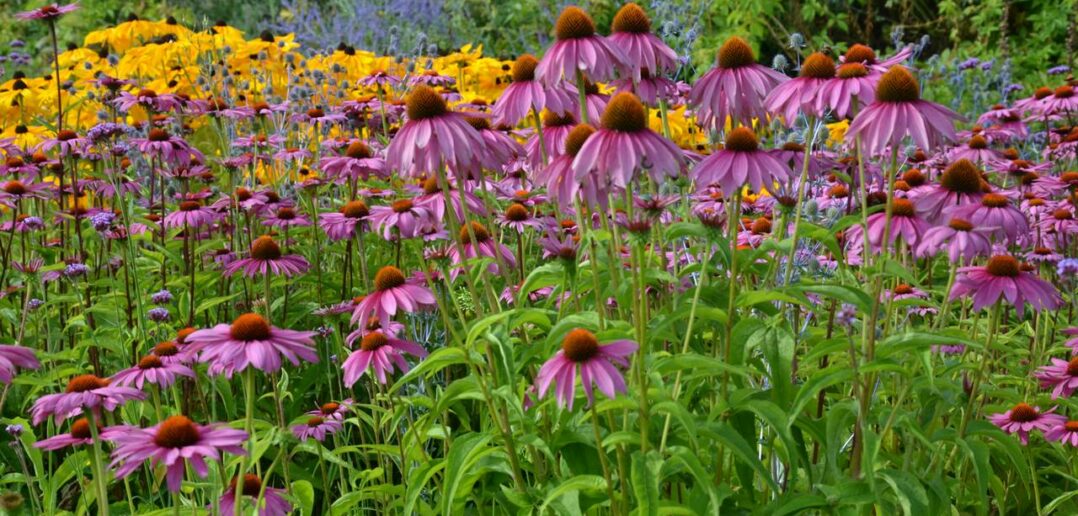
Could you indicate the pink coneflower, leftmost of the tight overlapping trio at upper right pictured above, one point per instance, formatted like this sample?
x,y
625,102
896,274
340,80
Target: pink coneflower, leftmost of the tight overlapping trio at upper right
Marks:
x,y
803,94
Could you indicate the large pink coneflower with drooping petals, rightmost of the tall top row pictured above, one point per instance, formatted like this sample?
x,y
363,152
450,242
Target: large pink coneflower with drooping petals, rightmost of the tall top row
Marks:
x,y
899,113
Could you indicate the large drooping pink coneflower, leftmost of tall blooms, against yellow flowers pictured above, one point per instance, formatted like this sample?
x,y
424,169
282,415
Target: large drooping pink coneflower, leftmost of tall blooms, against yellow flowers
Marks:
x,y
433,137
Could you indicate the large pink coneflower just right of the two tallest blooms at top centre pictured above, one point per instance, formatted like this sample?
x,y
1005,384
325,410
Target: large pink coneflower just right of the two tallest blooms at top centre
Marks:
x,y
736,89
